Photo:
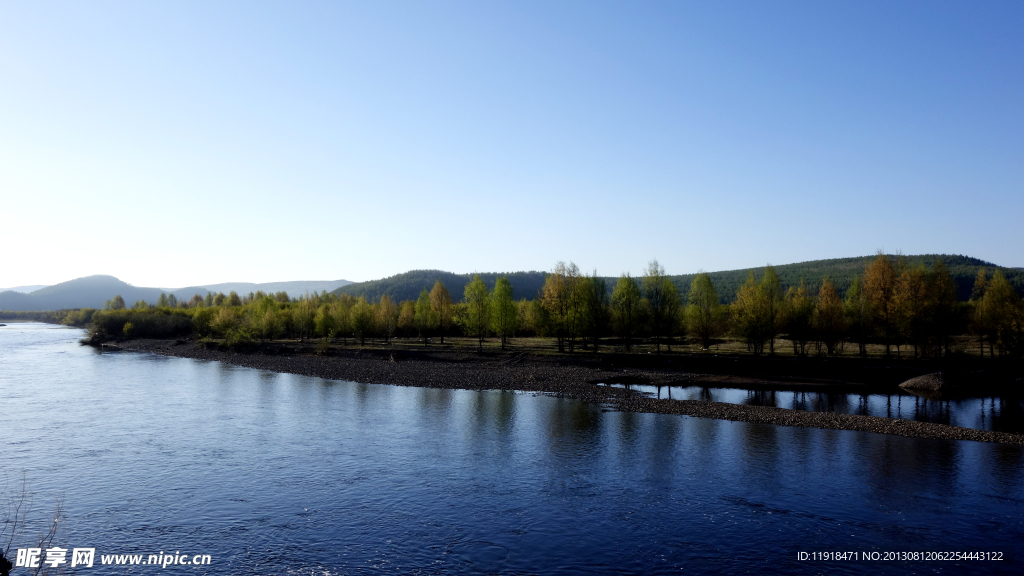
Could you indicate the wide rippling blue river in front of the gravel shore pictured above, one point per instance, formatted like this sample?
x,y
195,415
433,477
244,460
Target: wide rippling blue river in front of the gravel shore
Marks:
x,y
275,474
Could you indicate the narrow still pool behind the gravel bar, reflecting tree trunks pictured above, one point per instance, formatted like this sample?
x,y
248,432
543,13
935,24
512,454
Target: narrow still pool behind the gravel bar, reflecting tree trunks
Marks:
x,y
993,414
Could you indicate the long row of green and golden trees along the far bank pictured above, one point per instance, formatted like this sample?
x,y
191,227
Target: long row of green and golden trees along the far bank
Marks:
x,y
906,309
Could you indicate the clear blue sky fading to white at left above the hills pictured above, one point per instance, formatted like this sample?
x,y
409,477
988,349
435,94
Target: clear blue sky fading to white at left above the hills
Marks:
x,y
176,144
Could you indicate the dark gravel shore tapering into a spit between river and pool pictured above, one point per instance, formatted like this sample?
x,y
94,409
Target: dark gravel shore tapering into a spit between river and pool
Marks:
x,y
576,378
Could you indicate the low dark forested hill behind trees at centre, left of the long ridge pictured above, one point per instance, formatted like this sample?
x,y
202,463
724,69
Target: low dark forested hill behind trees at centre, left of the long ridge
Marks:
x,y
407,286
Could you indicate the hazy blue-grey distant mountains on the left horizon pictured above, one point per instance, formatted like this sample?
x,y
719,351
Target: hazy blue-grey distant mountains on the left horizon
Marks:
x,y
94,292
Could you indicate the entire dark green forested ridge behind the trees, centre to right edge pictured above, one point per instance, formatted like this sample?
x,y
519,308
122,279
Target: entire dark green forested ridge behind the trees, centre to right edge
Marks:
x,y
842,271
